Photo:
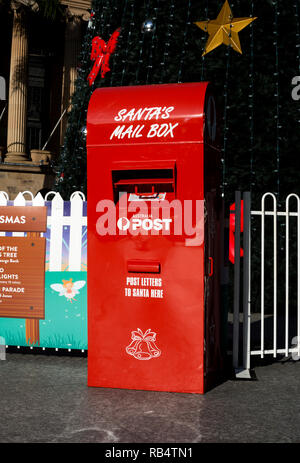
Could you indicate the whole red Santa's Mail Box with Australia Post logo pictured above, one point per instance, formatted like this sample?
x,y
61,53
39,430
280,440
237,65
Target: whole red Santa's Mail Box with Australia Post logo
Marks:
x,y
154,227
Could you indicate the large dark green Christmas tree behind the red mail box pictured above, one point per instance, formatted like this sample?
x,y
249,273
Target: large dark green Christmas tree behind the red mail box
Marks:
x,y
159,42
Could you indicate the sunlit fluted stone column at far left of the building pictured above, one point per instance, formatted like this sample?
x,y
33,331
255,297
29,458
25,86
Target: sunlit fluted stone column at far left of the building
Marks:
x,y
17,100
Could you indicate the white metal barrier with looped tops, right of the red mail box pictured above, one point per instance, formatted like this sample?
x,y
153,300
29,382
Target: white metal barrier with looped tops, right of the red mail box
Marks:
x,y
255,311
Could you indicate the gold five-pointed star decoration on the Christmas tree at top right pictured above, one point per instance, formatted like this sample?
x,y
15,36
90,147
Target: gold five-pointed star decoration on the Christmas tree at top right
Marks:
x,y
224,29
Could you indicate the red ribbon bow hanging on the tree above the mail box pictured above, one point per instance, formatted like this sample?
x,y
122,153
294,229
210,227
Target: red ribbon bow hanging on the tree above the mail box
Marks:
x,y
100,53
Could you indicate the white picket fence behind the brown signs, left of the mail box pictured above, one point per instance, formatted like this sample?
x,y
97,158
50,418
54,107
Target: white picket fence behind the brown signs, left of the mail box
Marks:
x,y
57,221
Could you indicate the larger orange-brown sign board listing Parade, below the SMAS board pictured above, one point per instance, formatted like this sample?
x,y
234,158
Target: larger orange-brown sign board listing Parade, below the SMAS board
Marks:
x,y
22,277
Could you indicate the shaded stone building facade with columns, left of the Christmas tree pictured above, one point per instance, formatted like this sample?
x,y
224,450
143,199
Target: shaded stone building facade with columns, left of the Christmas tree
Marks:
x,y
38,61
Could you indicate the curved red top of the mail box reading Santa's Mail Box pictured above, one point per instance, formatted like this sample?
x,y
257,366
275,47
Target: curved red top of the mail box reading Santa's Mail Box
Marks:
x,y
148,114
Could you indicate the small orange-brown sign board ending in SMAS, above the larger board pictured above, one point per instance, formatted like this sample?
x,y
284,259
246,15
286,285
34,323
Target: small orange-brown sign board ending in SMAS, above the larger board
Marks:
x,y
20,218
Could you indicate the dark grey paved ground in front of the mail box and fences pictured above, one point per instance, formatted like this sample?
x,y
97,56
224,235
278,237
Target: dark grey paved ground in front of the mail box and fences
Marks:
x,y
45,399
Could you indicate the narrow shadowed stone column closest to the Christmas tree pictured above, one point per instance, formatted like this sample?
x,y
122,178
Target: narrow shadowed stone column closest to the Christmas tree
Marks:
x,y
71,54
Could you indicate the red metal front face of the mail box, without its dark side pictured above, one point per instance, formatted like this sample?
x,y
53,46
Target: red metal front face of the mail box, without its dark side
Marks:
x,y
146,329
